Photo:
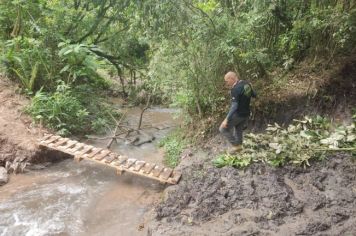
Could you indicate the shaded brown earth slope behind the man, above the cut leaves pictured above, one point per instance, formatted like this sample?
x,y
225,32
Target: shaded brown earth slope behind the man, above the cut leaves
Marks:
x,y
307,90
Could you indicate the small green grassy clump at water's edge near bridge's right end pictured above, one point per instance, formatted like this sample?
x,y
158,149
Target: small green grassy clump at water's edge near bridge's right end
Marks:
x,y
173,145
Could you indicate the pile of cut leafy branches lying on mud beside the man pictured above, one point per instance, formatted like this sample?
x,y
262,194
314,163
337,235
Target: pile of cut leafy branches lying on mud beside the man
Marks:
x,y
300,142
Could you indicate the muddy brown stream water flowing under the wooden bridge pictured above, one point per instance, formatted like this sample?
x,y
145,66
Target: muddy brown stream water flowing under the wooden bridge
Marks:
x,y
70,198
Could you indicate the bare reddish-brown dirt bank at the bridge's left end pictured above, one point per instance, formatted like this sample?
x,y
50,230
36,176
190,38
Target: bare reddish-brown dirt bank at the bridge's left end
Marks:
x,y
18,137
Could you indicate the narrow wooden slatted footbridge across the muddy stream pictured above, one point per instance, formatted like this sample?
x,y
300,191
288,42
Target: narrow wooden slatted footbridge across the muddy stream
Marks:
x,y
102,156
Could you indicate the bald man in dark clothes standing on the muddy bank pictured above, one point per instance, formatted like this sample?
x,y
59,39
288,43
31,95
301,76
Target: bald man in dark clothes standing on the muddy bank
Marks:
x,y
232,126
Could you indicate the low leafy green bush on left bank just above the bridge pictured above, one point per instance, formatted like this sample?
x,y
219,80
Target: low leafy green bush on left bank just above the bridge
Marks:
x,y
67,111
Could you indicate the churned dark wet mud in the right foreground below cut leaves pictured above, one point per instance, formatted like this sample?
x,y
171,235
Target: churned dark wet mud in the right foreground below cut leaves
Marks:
x,y
261,200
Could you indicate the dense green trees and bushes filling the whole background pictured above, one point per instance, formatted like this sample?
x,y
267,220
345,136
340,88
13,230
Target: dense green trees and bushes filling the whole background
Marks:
x,y
177,51
